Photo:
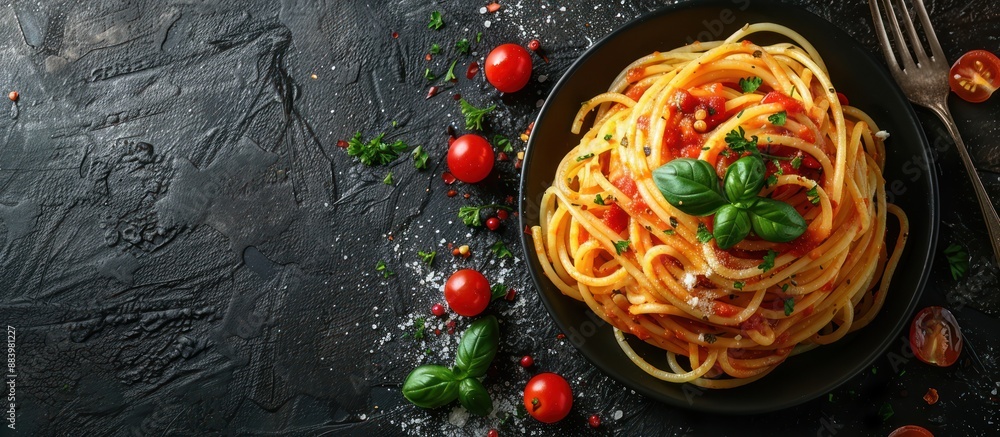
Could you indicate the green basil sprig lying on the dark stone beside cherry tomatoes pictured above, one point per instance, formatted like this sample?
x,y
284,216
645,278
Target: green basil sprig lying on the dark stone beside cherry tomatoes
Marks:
x,y
432,385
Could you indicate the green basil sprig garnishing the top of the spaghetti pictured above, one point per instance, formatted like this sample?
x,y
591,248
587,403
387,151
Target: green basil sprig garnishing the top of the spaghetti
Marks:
x,y
692,186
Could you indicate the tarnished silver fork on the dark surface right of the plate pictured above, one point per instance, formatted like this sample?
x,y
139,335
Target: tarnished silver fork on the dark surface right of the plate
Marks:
x,y
925,82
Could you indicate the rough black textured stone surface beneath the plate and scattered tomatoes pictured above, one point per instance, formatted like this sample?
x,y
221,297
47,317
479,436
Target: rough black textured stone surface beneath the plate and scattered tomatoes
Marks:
x,y
184,250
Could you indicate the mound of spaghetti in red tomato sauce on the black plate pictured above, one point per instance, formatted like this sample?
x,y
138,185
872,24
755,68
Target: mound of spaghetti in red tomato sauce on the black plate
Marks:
x,y
725,317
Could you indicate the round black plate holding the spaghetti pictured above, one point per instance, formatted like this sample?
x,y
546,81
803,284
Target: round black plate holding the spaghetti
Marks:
x,y
911,185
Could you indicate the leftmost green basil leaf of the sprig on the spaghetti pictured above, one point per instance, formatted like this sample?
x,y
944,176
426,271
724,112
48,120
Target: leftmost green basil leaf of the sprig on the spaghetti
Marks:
x,y
690,185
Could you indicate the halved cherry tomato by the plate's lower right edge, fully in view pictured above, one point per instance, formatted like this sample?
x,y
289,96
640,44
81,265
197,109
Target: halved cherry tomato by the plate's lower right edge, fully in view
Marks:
x,y
935,336
